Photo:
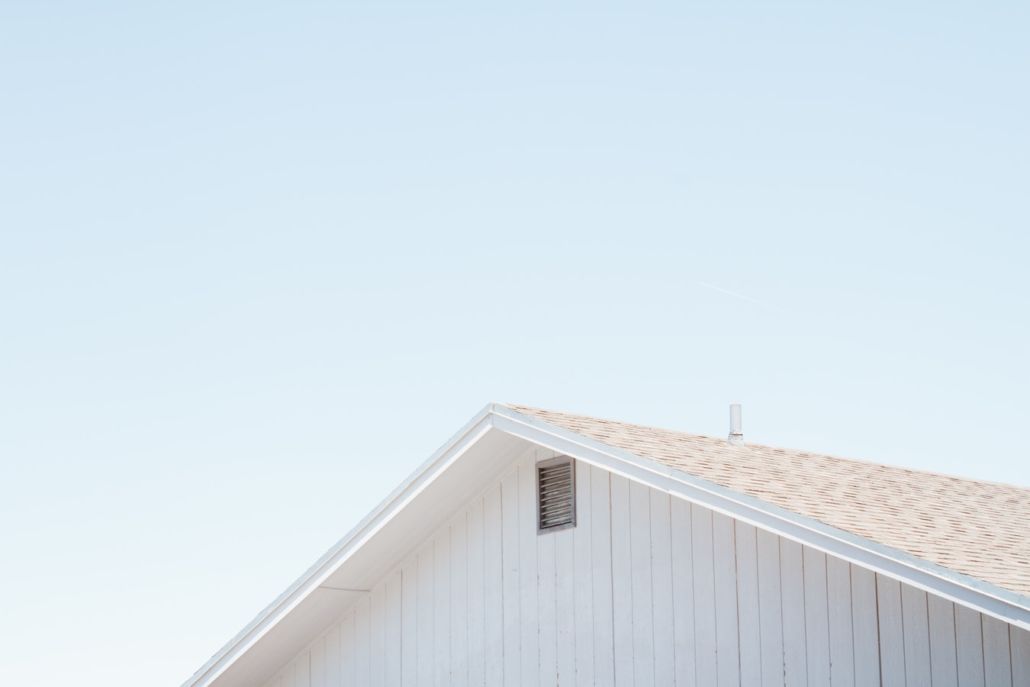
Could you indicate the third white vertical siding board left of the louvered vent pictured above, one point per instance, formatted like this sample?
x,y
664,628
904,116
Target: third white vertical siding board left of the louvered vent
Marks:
x,y
494,604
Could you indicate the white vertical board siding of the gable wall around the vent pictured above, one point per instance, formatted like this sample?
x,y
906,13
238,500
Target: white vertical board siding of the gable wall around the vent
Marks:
x,y
646,590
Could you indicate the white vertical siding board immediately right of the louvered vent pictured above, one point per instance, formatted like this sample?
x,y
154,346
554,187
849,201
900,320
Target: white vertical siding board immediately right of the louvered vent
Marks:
x,y
583,580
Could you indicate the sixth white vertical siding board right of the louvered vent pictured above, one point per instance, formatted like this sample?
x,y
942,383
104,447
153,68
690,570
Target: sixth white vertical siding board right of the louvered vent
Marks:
x,y
683,593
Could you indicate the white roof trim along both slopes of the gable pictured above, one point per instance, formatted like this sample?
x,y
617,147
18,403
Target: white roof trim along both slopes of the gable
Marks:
x,y
960,589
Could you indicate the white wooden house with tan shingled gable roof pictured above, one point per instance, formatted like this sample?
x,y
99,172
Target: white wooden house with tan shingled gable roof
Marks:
x,y
542,548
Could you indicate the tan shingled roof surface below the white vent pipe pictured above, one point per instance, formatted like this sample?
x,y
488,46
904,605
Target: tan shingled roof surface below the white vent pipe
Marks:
x,y
979,529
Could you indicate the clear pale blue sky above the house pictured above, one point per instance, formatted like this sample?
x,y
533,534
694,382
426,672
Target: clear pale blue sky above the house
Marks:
x,y
258,261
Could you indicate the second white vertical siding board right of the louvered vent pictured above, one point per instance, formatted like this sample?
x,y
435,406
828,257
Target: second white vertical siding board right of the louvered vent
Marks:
x,y
601,574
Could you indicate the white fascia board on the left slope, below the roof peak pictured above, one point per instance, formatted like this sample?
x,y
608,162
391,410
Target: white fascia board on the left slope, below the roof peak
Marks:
x,y
338,555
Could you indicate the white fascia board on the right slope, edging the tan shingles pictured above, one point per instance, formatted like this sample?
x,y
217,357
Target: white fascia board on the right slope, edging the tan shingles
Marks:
x,y
930,577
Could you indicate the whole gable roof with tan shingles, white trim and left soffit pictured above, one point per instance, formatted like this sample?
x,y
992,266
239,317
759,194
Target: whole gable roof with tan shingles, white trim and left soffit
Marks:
x,y
761,486
